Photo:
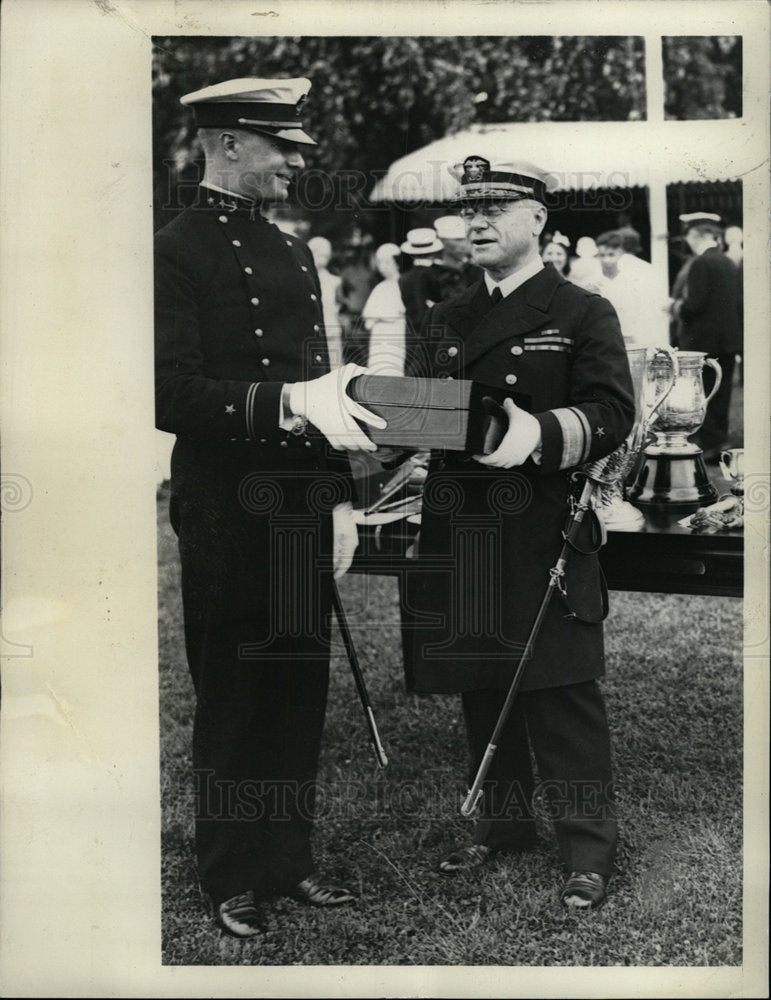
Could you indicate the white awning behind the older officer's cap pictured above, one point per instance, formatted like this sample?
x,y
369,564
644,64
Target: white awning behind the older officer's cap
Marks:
x,y
580,155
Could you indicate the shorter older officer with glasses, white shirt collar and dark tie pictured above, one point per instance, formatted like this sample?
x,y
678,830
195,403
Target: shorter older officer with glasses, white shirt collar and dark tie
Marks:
x,y
492,529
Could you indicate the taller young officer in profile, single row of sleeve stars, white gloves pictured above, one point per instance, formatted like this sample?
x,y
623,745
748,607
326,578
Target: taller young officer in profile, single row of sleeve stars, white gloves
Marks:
x,y
243,380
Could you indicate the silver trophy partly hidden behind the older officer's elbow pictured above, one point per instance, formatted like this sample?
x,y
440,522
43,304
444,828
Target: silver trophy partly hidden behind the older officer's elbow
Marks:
x,y
609,501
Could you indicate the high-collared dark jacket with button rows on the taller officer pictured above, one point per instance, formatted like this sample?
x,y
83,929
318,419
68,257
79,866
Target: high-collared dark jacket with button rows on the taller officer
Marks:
x,y
238,314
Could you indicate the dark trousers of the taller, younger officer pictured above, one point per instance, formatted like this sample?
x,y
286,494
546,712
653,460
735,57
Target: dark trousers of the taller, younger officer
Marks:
x,y
261,684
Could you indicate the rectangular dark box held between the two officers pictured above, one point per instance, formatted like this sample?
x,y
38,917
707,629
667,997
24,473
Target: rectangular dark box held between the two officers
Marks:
x,y
426,413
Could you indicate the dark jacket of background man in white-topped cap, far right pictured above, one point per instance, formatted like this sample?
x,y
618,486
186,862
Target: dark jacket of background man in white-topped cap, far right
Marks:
x,y
709,309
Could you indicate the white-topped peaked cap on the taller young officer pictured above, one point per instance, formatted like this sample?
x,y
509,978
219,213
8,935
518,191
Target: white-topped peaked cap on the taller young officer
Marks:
x,y
271,107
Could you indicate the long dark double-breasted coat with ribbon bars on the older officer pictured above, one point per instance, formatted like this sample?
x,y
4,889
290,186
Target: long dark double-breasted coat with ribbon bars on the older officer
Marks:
x,y
490,536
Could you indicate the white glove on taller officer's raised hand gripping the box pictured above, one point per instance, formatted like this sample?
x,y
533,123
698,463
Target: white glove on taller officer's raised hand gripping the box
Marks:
x,y
328,406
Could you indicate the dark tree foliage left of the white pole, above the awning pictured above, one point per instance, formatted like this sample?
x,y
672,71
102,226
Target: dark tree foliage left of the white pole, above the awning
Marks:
x,y
375,99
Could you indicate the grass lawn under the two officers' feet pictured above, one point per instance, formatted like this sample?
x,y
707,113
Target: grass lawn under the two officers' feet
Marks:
x,y
674,695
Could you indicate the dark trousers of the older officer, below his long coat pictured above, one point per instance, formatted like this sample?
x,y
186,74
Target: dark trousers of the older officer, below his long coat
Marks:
x,y
568,731
